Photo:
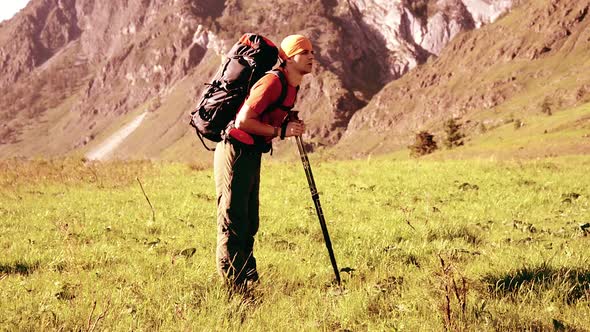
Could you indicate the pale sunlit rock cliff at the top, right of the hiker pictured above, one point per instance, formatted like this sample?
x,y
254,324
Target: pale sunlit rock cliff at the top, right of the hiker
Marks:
x,y
406,33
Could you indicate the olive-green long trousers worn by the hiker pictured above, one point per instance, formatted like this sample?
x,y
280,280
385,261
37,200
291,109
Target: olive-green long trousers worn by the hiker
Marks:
x,y
237,182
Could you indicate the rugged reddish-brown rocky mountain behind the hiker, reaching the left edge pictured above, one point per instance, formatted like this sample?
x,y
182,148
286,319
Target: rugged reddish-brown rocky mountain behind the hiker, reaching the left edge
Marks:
x,y
74,71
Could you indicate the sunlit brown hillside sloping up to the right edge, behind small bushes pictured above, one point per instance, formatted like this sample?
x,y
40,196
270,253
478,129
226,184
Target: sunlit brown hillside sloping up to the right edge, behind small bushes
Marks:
x,y
485,78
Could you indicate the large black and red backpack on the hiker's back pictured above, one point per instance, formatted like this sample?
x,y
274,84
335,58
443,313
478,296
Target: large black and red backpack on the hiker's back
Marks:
x,y
248,60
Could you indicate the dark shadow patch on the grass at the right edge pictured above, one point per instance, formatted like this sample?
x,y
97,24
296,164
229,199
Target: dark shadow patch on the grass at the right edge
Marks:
x,y
570,284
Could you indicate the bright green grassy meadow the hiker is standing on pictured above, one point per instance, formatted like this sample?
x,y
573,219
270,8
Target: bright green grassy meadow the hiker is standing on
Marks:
x,y
424,245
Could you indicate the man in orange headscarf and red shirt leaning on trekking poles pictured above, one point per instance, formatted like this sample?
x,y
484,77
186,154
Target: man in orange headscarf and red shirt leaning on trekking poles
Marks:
x,y
238,156
